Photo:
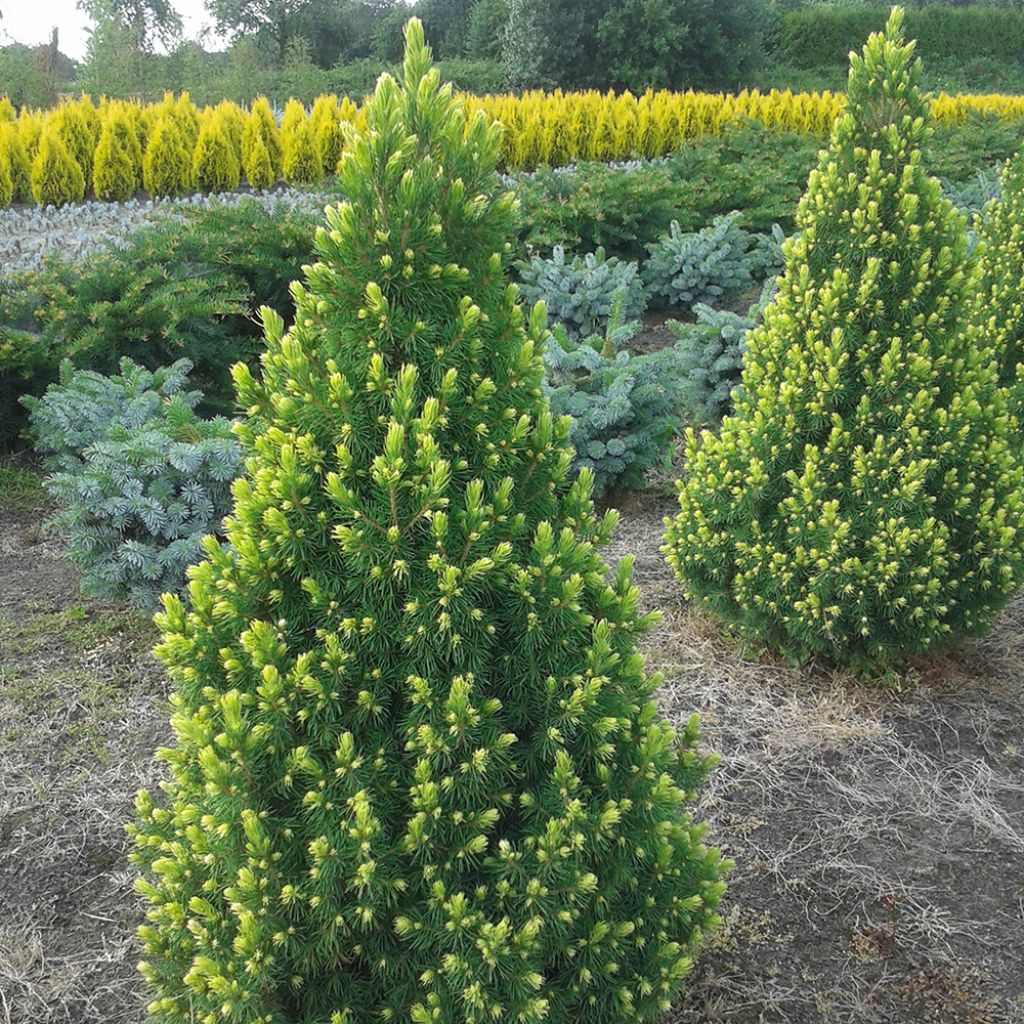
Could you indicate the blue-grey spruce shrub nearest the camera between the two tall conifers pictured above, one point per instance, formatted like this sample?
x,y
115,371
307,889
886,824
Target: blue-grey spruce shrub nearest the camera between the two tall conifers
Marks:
x,y
624,407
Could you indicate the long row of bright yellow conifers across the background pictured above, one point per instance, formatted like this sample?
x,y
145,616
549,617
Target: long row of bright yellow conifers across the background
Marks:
x,y
541,129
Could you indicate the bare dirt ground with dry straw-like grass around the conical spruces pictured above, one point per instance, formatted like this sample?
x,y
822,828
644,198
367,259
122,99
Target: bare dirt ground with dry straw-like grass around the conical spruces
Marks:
x,y
878,832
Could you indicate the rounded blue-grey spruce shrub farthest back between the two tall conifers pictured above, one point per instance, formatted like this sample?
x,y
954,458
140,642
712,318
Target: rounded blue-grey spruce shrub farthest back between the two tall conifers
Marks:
x,y
711,266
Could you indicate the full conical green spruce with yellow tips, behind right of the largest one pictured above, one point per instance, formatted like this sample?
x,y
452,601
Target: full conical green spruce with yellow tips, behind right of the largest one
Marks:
x,y
863,503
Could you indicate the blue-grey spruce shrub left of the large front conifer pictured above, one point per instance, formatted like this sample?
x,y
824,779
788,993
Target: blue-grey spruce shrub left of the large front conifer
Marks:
x,y
141,479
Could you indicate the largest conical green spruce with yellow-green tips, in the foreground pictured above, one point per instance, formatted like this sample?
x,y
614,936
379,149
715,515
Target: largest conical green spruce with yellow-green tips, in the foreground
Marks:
x,y
419,775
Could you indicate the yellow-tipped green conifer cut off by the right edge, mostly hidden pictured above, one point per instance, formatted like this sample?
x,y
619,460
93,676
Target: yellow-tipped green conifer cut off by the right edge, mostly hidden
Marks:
x,y
1001,254
